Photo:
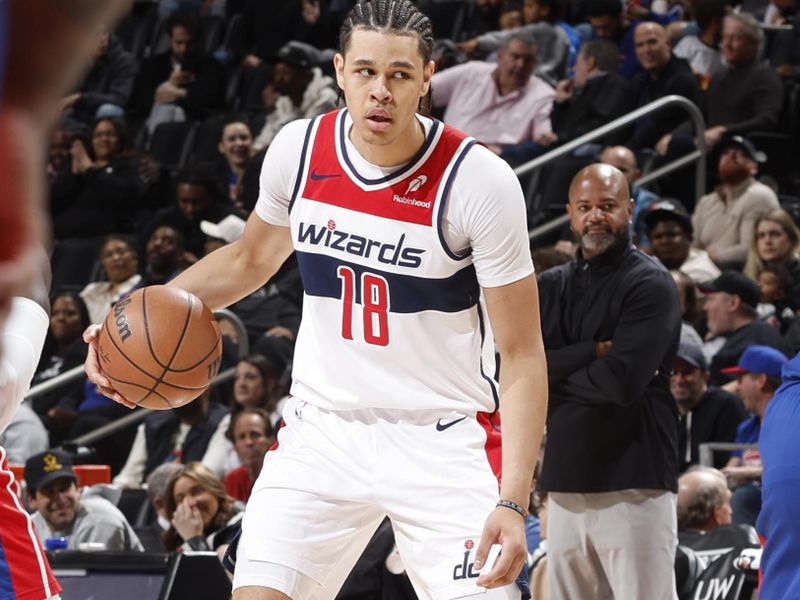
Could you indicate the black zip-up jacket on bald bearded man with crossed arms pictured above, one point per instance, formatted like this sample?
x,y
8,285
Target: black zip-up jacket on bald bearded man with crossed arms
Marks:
x,y
612,423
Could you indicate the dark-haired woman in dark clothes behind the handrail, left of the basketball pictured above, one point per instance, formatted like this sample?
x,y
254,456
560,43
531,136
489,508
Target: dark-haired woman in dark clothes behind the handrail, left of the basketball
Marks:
x,y
63,350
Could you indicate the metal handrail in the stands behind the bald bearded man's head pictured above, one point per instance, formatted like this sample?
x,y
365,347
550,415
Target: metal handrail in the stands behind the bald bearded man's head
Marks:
x,y
697,155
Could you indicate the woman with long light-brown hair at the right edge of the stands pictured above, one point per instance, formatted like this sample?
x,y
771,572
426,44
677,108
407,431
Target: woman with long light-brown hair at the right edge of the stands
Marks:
x,y
776,243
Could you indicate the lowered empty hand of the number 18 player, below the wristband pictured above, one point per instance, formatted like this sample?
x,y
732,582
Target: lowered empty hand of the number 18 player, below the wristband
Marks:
x,y
507,528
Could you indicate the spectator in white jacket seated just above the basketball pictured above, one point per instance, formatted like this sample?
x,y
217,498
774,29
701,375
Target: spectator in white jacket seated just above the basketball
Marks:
x,y
121,266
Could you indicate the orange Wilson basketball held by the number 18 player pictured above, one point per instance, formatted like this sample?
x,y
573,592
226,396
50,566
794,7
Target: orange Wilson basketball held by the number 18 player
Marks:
x,y
160,347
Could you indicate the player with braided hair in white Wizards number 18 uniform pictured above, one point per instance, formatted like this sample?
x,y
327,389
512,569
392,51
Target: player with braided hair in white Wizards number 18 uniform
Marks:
x,y
414,256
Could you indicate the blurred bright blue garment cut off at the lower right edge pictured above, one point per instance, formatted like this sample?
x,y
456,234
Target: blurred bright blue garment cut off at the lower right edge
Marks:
x,y
780,482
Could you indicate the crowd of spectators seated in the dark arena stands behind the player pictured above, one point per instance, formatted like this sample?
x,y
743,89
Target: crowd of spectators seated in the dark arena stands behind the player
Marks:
x,y
155,162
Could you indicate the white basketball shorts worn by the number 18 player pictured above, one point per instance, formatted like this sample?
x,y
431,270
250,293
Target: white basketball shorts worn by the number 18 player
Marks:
x,y
335,475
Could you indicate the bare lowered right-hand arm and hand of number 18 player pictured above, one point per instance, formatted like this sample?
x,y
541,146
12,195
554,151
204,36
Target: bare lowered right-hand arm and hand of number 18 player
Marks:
x,y
514,316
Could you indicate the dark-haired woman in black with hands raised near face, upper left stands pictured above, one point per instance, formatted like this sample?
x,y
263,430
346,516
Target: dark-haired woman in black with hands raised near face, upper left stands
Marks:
x,y
102,191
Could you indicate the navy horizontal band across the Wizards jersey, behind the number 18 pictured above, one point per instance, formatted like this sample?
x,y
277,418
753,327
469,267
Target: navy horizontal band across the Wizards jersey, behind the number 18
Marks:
x,y
410,294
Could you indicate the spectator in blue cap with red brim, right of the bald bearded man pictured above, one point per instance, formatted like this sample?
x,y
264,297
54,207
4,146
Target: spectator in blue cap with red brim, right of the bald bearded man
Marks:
x,y
759,375
